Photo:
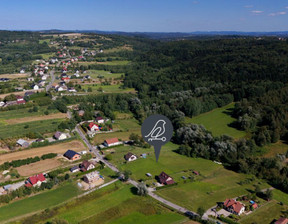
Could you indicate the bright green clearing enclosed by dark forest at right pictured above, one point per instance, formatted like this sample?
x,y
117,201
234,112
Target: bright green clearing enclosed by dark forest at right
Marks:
x,y
217,122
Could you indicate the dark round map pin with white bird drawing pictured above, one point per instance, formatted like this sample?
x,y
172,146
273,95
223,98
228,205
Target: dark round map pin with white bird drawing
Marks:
x,y
157,130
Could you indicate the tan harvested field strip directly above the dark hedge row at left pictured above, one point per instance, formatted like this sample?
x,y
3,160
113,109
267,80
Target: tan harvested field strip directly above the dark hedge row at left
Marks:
x,y
55,148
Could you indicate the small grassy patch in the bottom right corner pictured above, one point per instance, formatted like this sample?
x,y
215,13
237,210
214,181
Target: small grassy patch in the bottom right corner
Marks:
x,y
265,214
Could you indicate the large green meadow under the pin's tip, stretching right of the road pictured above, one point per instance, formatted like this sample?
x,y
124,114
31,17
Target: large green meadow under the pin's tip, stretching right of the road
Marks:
x,y
214,184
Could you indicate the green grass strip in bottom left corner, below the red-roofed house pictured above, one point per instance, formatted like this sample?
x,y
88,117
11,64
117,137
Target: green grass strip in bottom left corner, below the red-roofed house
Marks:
x,y
38,202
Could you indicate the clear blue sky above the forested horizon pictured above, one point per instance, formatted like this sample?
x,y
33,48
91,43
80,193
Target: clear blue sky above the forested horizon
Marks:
x,y
145,15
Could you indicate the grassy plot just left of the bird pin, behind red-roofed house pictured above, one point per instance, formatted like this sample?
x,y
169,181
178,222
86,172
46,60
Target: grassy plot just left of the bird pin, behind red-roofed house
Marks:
x,y
123,129
